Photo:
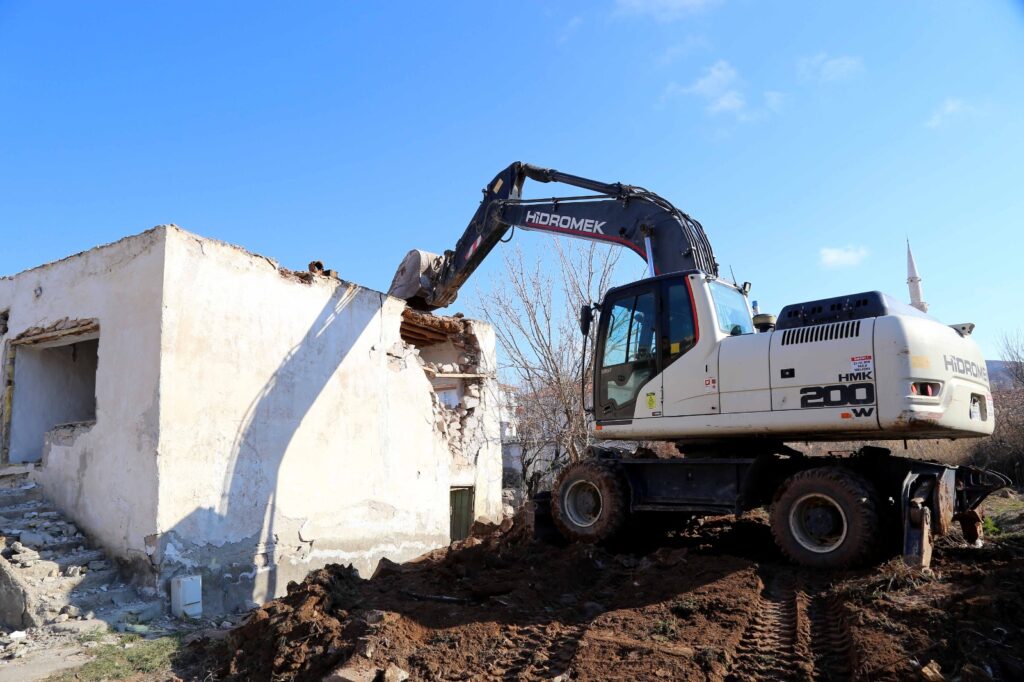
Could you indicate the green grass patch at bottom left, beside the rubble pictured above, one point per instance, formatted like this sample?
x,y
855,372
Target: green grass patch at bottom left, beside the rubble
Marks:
x,y
130,657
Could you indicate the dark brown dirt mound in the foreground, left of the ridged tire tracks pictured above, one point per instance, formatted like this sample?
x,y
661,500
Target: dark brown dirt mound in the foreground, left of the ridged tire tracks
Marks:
x,y
499,607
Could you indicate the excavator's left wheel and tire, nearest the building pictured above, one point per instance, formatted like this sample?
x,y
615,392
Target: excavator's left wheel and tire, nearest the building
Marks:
x,y
589,501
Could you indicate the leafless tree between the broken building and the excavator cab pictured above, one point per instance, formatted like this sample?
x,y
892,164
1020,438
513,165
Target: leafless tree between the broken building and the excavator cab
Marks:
x,y
535,316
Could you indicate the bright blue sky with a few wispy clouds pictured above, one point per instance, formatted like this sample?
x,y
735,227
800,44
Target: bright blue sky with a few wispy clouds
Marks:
x,y
812,140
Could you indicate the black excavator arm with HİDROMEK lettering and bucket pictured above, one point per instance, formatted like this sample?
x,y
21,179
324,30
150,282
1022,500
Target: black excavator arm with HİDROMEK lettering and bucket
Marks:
x,y
648,225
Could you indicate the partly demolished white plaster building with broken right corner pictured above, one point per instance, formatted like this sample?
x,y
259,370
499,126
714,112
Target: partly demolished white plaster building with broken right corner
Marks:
x,y
196,409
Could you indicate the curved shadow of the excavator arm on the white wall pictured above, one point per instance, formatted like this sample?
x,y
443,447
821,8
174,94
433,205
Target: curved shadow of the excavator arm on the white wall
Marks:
x,y
250,488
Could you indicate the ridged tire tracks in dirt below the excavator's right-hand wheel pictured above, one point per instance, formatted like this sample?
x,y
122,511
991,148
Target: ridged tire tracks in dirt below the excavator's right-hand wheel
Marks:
x,y
797,633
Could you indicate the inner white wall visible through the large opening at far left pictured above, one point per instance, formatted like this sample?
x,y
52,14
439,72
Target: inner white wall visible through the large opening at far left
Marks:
x,y
53,386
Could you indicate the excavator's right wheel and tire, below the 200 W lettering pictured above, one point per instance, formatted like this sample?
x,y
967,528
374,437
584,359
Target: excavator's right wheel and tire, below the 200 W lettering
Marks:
x,y
826,518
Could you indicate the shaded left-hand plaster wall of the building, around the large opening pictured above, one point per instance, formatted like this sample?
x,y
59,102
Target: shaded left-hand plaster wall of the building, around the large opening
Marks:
x,y
106,478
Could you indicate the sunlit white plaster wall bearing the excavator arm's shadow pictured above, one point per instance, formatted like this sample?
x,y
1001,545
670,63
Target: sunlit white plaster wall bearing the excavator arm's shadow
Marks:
x,y
294,428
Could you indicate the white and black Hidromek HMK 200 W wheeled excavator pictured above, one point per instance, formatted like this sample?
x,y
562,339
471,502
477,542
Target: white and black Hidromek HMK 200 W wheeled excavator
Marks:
x,y
679,357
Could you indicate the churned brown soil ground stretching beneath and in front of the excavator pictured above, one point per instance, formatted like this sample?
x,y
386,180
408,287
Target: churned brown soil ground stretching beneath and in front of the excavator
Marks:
x,y
712,604
